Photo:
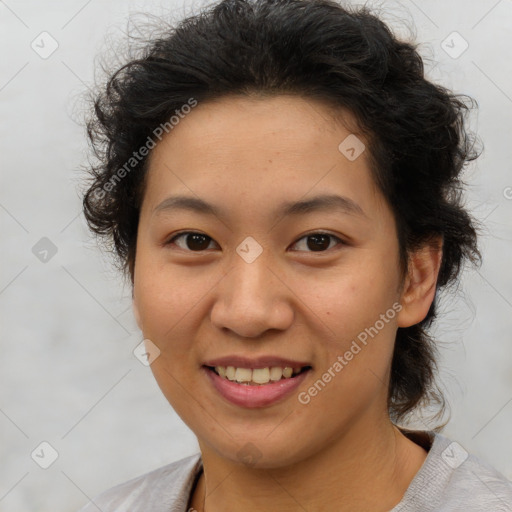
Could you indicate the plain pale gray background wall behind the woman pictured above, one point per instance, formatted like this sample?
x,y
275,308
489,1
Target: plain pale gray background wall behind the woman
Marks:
x,y
69,376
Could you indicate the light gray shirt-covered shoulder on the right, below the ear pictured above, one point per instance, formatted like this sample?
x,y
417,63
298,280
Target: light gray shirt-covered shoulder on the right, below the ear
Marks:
x,y
453,479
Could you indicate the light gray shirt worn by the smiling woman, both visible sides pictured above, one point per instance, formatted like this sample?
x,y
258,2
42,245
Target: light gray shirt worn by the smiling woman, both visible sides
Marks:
x,y
449,480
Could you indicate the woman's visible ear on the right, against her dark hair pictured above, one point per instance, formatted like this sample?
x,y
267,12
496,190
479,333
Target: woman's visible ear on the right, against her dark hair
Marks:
x,y
419,288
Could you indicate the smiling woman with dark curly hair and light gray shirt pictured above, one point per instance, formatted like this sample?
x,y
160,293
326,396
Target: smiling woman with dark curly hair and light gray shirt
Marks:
x,y
281,185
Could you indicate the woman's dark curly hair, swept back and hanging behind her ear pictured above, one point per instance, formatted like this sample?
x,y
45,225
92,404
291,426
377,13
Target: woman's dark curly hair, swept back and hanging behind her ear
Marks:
x,y
346,58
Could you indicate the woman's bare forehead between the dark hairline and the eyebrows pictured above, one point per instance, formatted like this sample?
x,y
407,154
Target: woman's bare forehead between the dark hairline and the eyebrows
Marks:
x,y
260,150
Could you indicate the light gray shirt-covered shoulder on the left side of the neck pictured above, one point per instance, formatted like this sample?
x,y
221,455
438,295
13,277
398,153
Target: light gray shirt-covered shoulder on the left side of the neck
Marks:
x,y
163,489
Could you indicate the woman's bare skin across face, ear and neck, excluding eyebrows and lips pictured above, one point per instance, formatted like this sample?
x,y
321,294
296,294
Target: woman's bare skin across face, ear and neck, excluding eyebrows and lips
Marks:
x,y
248,155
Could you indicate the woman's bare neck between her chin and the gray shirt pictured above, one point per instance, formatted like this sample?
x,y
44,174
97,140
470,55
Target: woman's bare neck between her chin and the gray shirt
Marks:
x,y
360,471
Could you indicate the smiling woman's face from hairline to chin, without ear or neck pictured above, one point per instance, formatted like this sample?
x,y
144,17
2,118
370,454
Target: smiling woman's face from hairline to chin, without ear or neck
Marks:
x,y
254,282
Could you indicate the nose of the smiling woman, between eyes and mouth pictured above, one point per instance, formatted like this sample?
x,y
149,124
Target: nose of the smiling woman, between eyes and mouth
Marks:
x,y
252,298
